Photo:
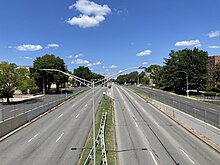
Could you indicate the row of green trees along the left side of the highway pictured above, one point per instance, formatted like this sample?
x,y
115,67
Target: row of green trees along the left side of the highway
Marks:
x,y
14,78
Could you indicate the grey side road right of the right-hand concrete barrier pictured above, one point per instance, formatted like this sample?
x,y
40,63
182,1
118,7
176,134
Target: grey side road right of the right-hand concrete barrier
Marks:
x,y
196,108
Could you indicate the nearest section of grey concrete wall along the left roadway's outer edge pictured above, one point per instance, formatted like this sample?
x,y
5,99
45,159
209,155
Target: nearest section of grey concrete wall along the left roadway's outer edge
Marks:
x,y
11,124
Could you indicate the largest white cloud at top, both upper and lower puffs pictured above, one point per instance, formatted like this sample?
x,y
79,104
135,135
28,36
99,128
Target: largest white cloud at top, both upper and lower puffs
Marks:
x,y
92,14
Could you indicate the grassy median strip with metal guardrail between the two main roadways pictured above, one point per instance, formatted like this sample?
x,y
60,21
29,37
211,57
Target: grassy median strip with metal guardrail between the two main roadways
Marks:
x,y
105,106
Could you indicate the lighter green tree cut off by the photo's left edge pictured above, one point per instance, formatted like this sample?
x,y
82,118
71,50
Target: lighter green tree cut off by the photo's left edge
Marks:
x,y
8,80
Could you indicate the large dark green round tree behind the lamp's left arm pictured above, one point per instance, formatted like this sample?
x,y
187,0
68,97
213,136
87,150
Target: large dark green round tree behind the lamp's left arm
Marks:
x,y
49,62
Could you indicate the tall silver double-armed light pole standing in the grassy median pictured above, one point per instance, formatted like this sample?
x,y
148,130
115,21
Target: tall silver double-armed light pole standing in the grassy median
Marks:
x,y
92,86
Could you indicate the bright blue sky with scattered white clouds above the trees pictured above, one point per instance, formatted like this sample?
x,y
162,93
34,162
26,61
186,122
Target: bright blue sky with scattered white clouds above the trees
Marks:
x,y
106,35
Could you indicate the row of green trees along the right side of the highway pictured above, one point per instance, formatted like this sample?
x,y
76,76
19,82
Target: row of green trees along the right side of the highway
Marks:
x,y
180,66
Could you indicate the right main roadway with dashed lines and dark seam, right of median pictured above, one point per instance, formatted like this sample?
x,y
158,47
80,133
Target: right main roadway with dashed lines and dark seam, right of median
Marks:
x,y
146,136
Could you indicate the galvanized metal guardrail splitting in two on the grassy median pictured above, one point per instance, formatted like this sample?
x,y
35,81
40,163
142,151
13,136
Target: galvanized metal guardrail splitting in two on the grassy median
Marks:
x,y
101,137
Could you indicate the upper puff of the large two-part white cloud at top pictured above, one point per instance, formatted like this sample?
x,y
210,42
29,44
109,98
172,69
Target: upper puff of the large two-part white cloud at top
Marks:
x,y
90,8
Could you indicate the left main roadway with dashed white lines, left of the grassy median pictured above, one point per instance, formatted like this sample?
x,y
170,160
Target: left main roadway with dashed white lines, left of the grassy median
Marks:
x,y
48,141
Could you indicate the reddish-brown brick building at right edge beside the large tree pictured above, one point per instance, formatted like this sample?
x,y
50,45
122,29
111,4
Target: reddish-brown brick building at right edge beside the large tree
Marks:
x,y
212,61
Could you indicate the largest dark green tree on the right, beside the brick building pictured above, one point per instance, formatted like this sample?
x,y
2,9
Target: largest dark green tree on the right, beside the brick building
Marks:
x,y
193,62
